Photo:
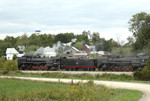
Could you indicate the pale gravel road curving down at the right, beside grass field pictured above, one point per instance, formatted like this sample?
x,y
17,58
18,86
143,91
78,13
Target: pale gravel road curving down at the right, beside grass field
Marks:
x,y
145,88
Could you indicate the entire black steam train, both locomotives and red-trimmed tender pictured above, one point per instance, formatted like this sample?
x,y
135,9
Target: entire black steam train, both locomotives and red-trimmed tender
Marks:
x,y
103,63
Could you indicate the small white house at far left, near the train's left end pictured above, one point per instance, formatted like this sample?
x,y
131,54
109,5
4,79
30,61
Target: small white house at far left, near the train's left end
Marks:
x,y
10,52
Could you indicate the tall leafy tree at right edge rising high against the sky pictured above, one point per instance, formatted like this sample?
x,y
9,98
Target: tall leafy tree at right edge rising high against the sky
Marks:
x,y
140,27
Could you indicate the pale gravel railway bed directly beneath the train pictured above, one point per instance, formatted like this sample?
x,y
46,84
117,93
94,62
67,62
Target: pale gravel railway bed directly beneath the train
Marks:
x,y
80,72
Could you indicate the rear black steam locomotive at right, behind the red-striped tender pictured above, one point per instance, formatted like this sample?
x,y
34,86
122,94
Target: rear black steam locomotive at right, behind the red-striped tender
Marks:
x,y
119,63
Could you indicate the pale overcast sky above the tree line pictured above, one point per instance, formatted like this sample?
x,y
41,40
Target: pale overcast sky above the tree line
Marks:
x,y
108,17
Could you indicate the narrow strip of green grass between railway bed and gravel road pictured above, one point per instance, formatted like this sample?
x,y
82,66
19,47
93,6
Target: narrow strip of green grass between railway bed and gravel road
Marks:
x,y
110,77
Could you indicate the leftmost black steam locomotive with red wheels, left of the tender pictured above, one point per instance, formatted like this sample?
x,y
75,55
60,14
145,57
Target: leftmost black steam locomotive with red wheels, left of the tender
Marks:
x,y
37,63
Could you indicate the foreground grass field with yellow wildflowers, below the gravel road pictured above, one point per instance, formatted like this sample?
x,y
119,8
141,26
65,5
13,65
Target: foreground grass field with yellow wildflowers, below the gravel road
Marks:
x,y
13,90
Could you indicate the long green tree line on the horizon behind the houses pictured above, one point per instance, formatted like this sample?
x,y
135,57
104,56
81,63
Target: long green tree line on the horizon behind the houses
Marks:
x,y
37,40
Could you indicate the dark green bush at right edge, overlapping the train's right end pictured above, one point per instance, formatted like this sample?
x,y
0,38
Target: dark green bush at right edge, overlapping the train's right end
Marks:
x,y
144,74
